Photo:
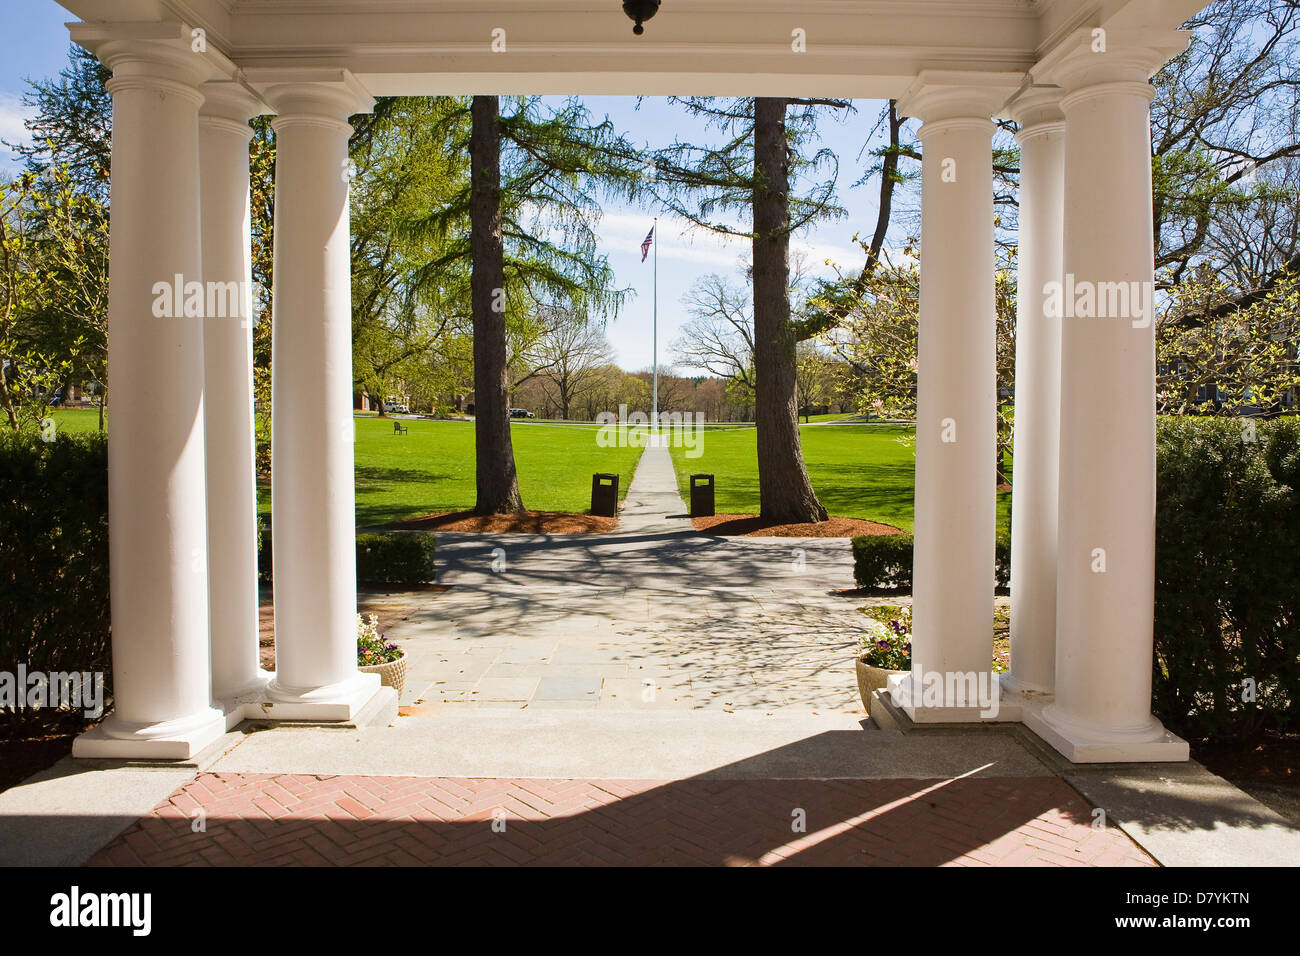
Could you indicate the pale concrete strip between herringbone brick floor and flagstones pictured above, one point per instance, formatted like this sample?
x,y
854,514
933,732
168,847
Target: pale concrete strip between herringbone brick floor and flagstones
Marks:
x,y
632,746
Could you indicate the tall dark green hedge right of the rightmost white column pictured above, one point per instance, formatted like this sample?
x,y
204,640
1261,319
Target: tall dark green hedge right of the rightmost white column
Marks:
x,y
1228,577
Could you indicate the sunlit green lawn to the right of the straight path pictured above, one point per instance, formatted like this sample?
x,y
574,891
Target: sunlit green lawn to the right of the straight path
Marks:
x,y
859,471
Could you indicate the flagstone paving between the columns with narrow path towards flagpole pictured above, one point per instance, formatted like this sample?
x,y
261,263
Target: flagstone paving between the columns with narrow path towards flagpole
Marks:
x,y
651,616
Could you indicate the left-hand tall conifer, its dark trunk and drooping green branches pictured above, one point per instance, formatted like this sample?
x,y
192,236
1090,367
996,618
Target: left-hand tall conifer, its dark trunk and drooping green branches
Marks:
x,y
526,222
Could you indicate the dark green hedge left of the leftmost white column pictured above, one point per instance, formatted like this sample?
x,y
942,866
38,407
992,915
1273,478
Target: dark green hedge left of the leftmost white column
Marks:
x,y
54,553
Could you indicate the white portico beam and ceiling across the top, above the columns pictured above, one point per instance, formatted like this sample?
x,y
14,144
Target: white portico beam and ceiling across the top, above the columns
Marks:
x,y
869,49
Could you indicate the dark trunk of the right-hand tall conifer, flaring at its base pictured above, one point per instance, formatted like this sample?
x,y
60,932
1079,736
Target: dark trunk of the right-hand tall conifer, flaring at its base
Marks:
x,y
785,491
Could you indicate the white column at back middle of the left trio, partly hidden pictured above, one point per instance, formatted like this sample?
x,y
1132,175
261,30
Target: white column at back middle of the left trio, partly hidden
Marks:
x,y
224,135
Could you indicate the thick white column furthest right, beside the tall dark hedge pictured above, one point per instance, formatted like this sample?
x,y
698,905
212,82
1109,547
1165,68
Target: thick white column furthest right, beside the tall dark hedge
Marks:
x,y
1106,578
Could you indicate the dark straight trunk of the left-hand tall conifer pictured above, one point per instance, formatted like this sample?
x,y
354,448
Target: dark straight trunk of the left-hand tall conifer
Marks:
x,y
495,456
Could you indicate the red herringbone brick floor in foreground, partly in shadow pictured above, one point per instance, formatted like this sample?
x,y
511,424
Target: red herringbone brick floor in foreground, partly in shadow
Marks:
x,y
292,820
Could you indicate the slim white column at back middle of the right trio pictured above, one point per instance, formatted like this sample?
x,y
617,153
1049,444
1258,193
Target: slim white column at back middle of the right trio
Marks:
x,y
1038,395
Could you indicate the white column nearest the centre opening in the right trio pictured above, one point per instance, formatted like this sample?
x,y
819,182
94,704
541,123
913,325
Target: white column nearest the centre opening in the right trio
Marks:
x,y
956,409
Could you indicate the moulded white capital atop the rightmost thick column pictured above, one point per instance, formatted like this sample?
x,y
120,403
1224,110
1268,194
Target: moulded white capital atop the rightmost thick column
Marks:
x,y
1091,57
